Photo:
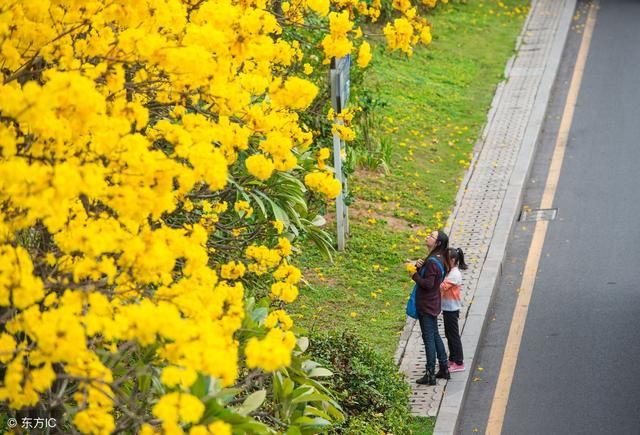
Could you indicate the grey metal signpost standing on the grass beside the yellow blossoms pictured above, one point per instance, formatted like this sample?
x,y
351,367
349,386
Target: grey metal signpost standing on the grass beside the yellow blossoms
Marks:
x,y
339,77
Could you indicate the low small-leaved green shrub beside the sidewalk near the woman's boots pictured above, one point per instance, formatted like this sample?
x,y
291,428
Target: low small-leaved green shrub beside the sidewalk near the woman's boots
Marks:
x,y
372,392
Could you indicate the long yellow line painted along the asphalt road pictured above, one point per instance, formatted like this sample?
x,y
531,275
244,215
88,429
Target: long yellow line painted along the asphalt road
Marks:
x,y
512,348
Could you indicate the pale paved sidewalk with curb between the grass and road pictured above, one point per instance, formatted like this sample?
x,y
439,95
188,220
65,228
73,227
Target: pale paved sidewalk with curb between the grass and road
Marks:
x,y
489,199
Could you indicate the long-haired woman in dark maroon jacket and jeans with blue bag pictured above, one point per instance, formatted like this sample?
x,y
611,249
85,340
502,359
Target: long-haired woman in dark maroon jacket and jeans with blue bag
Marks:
x,y
428,276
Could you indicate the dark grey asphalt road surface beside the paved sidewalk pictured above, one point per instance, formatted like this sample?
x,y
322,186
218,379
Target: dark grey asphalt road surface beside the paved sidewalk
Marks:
x,y
578,369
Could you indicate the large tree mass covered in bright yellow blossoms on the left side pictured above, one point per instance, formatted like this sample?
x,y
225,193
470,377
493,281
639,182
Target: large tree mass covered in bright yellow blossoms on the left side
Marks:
x,y
154,171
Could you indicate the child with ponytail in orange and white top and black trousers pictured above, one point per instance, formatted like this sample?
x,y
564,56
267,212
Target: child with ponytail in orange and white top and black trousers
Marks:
x,y
451,305
